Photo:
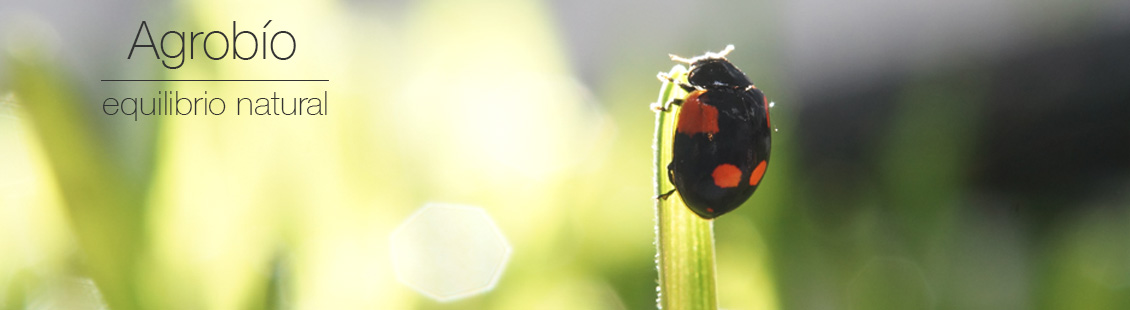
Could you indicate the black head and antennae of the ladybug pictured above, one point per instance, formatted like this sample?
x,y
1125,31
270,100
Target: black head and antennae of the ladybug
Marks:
x,y
714,71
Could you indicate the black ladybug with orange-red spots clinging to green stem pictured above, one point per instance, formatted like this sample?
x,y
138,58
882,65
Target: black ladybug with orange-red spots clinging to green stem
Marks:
x,y
723,136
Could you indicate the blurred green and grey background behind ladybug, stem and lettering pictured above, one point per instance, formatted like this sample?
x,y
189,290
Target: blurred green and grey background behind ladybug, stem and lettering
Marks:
x,y
931,156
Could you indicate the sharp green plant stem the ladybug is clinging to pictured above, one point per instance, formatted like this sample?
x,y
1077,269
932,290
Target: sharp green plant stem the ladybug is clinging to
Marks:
x,y
685,243
